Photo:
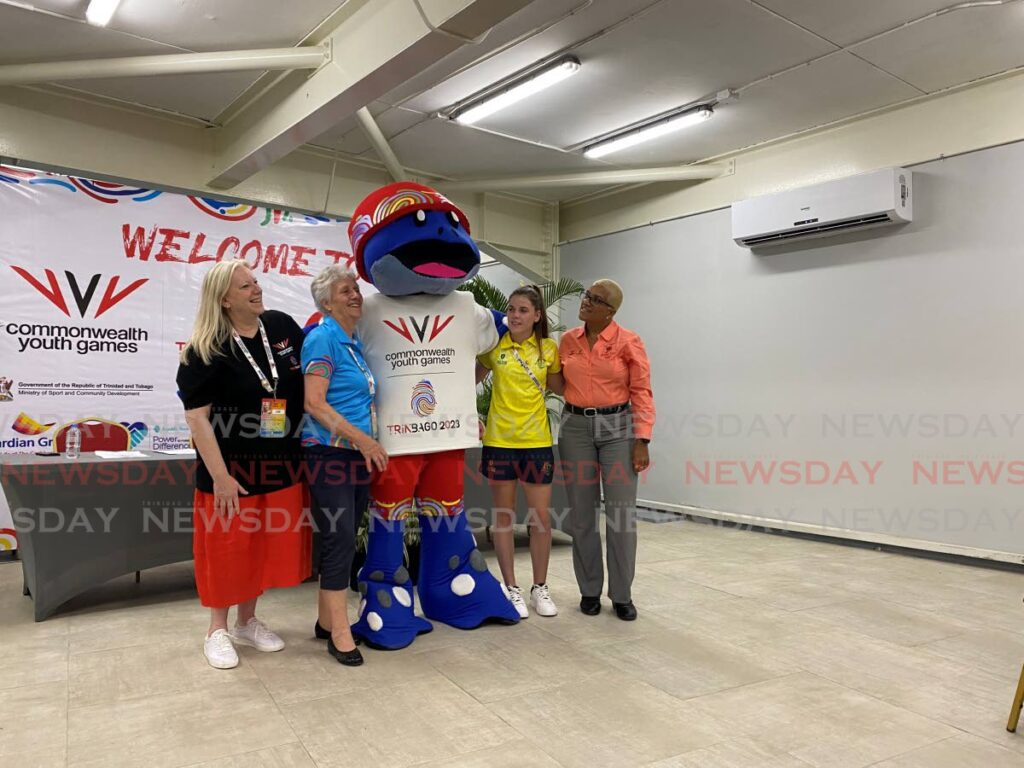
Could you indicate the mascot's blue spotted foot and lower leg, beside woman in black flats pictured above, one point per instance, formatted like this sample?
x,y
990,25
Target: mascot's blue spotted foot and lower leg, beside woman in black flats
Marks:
x,y
387,618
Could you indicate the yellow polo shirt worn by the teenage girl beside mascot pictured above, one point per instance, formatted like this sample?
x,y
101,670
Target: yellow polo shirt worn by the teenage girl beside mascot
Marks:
x,y
519,416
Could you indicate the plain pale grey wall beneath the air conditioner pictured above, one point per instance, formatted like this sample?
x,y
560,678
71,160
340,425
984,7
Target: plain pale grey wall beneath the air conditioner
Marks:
x,y
819,354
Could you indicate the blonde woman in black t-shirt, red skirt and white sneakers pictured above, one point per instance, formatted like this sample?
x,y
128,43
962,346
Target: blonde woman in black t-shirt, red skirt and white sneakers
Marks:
x,y
241,382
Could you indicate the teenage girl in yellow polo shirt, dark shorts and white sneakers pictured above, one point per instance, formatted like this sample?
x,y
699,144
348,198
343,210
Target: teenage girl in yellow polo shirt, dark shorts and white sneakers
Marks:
x,y
518,441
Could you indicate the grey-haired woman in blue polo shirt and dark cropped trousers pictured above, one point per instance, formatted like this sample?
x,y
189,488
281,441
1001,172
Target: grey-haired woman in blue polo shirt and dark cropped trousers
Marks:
x,y
340,447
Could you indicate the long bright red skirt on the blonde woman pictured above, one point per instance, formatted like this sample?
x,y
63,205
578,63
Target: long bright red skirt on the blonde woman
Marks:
x,y
269,544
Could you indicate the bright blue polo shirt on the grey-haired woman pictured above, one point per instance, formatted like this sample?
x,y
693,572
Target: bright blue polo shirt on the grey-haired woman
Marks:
x,y
330,353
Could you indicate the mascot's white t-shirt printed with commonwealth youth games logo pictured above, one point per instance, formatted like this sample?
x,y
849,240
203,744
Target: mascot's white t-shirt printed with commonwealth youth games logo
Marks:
x,y
422,351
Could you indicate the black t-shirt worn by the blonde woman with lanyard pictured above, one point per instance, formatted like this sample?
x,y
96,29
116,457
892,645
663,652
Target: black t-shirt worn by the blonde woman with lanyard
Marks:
x,y
231,387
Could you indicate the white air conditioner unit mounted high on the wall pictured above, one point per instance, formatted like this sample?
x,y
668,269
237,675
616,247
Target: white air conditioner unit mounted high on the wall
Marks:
x,y
862,202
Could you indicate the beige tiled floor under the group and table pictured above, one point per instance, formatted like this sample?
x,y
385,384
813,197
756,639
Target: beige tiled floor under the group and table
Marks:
x,y
751,652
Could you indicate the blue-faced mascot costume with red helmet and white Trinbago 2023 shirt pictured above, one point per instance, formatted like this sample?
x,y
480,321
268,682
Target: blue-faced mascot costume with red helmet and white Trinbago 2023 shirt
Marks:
x,y
421,339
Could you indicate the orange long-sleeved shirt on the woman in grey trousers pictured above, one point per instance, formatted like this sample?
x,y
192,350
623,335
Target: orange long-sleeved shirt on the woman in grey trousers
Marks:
x,y
616,371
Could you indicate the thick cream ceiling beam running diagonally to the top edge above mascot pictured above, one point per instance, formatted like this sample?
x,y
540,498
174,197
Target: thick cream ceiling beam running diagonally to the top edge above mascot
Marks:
x,y
378,48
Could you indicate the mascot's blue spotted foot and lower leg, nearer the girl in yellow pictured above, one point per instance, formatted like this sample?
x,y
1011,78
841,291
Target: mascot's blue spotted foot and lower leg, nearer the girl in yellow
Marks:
x,y
455,585
